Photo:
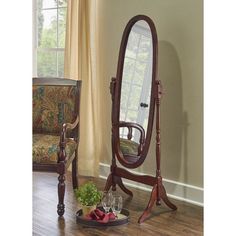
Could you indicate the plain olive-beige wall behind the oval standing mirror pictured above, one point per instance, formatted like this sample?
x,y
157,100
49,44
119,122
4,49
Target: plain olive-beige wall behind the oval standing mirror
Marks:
x,y
179,25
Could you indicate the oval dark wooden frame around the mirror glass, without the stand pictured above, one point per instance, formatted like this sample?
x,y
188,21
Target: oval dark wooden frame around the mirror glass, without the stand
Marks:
x,y
116,124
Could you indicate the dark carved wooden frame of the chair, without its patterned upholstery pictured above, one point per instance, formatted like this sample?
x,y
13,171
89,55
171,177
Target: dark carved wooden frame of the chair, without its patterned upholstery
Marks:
x,y
63,161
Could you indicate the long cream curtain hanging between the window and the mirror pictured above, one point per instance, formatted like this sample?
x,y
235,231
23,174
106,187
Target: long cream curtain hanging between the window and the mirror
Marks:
x,y
80,64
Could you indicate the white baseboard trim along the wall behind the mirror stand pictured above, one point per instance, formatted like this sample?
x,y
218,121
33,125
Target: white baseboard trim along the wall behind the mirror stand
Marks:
x,y
176,190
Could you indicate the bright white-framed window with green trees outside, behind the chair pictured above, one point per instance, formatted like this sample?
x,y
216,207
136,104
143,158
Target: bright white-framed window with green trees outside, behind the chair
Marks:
x,y
49,37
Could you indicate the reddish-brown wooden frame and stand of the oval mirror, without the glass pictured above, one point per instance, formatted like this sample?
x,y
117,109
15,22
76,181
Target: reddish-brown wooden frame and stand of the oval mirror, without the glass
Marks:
x,y
128,161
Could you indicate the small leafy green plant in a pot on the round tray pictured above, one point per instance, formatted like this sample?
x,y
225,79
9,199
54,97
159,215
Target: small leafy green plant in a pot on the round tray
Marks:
x,y
88,196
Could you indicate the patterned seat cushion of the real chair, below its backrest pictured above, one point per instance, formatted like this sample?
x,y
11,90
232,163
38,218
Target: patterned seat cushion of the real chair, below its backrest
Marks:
x,y
45,148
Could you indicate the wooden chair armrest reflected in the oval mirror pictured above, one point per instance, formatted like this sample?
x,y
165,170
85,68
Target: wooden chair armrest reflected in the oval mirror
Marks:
x,y
130,126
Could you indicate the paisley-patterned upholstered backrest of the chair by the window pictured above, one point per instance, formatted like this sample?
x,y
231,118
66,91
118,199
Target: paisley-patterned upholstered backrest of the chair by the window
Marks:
x,y
52,106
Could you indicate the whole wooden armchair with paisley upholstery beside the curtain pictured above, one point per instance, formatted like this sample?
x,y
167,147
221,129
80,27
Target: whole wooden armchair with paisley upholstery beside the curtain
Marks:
x,y
56,106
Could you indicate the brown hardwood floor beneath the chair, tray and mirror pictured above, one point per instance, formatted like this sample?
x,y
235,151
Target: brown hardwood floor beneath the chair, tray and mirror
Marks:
x,y
187,220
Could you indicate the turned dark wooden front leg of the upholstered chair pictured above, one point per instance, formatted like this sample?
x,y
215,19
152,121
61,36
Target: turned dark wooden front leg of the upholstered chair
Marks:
x,y
61,189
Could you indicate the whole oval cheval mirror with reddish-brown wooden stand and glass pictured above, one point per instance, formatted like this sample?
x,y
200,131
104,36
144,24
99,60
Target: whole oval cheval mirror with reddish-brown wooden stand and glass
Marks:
x,y
135,92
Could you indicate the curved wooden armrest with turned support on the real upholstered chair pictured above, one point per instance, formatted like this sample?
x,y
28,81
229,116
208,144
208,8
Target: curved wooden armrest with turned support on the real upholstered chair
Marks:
x,y
62,143
